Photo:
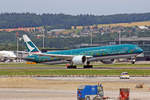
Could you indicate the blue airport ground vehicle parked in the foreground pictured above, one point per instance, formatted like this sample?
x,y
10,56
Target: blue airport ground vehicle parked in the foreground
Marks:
x,y
90,92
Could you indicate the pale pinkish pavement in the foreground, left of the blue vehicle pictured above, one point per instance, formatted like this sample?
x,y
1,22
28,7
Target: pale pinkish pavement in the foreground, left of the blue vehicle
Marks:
x,y
36,94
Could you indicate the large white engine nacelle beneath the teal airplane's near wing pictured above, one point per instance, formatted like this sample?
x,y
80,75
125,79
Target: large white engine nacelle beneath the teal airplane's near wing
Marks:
x,y
79,60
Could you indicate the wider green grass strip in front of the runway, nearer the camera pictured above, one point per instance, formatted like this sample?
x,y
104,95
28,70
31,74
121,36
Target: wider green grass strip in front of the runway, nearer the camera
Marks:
x,y
53,72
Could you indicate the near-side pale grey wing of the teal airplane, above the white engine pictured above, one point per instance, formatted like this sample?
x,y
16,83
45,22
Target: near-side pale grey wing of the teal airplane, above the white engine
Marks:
x,y
66,57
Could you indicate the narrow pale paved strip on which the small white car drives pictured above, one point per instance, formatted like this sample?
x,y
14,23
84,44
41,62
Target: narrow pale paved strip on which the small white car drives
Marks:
x,y
97,79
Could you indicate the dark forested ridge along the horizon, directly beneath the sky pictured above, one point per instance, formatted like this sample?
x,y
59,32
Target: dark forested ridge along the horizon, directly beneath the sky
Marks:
x,y
14,20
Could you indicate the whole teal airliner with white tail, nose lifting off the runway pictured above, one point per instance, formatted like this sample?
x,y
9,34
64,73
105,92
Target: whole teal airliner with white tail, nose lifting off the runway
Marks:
x,y
82,56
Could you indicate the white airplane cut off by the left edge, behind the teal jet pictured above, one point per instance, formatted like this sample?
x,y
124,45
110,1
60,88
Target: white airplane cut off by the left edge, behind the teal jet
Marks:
x,y
7,56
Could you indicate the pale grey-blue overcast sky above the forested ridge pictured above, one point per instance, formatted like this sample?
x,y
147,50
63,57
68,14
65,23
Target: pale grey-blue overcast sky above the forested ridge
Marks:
x,y
76,7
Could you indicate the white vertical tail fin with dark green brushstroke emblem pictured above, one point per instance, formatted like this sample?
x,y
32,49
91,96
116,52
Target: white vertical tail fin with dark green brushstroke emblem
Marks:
x,y
30,45
